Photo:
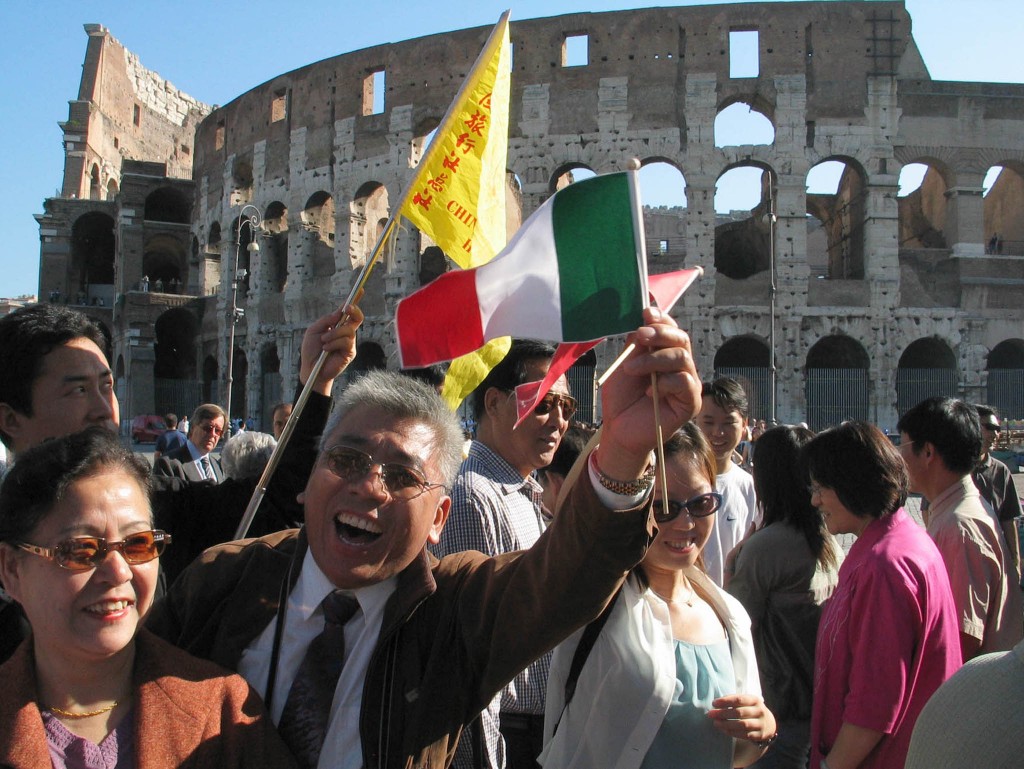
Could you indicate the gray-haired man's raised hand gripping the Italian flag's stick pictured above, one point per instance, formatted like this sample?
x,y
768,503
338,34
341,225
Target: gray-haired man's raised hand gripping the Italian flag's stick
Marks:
x,y
628,436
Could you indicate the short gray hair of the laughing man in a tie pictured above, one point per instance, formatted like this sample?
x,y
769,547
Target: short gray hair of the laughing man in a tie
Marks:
x,y
403,398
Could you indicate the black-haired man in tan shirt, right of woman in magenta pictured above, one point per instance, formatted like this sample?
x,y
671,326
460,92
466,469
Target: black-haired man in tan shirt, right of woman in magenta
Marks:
x,y
941,442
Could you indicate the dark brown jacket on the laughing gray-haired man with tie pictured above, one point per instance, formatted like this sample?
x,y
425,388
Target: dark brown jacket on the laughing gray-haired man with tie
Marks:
x,y
454,632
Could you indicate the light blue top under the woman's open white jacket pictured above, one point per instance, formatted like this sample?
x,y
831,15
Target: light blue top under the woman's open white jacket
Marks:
x,y
688,739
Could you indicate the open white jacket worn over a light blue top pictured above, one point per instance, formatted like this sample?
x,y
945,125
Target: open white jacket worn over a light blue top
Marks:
x,y
626,687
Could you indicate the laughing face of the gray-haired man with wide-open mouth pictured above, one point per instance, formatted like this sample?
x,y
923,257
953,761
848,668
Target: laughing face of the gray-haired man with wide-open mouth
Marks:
x,y
359,535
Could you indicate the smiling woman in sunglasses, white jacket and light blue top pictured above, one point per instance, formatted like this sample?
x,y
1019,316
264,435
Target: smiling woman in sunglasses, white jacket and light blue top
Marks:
x,y
667,677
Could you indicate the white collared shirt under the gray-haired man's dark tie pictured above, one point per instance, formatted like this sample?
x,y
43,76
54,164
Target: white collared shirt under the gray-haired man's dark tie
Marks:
x,y
304,622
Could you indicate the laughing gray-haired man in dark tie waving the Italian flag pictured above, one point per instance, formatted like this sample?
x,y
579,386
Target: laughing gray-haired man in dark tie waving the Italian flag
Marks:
x,y
426,644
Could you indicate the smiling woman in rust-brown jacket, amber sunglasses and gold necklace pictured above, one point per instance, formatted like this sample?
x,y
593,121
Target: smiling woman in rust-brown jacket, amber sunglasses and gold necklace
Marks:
x,y
90,688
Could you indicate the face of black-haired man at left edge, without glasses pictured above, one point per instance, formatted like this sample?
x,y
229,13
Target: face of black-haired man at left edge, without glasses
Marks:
x,y
74,391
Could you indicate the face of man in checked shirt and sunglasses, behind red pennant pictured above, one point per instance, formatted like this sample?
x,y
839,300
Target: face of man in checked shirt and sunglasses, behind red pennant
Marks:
x,y
532,445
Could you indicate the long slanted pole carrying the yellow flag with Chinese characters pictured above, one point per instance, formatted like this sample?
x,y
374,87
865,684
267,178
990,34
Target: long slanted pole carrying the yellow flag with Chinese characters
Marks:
x,y
356,293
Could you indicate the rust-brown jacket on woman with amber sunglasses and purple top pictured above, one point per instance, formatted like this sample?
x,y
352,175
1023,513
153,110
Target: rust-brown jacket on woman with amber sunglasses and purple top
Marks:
x,y
188,713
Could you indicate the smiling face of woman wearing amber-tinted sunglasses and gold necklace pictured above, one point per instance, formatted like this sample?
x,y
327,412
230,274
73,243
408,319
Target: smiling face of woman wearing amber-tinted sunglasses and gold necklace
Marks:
x,y
92,615
